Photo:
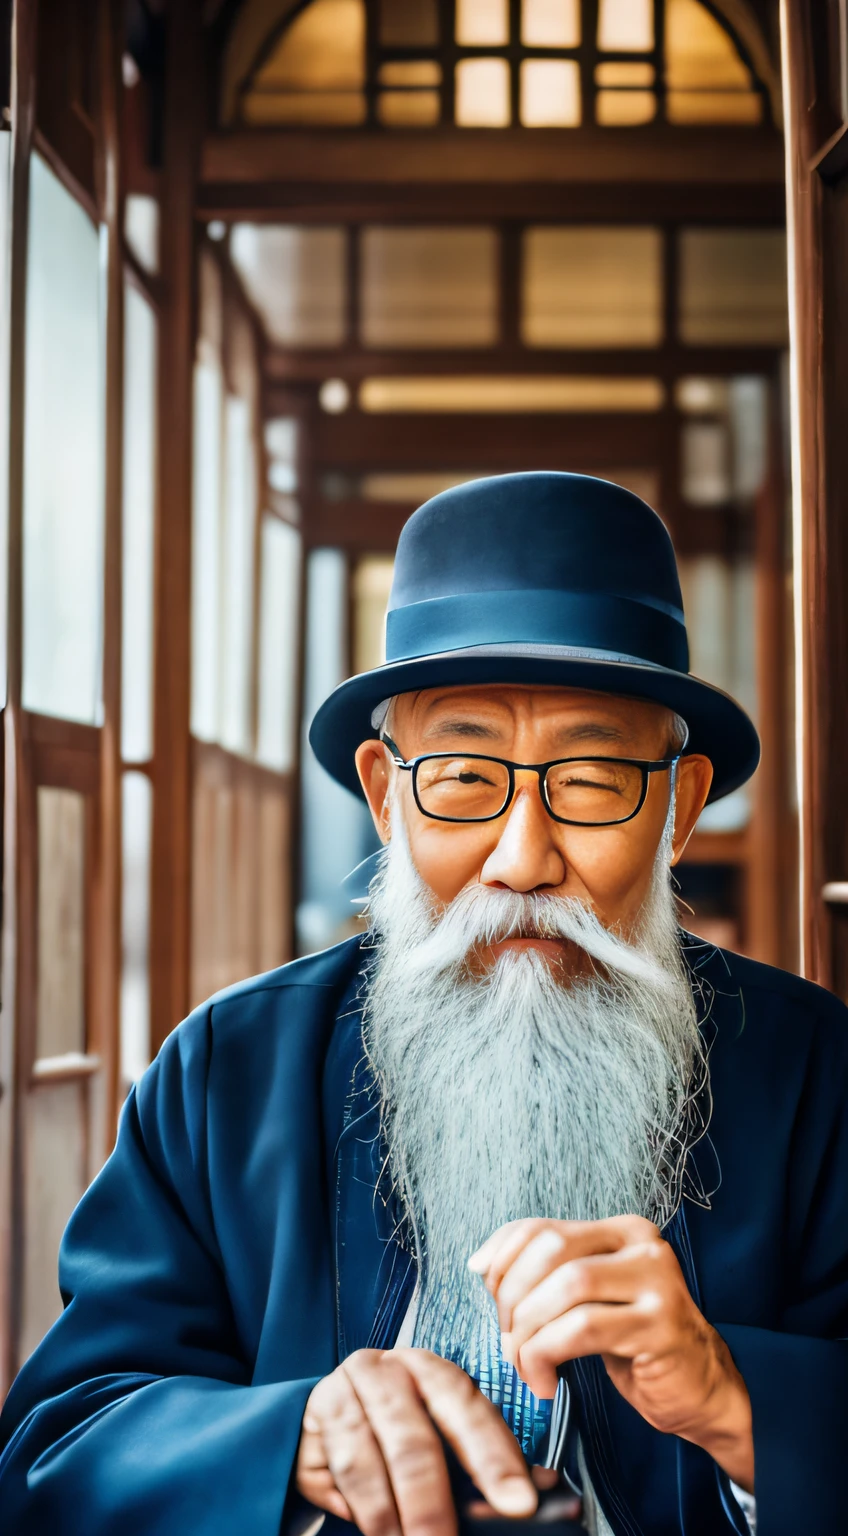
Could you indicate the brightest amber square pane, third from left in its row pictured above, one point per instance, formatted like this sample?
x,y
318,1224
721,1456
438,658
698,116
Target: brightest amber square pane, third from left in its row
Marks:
x,y
592,288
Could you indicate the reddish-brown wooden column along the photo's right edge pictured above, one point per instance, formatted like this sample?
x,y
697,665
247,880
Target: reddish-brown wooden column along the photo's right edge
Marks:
x,y
817,84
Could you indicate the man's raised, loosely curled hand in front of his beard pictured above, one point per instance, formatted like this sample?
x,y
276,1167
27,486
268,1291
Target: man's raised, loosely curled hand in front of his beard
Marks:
x,y
615,1289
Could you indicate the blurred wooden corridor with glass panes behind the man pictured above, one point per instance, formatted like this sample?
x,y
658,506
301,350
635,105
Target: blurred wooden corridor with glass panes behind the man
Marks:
x,y
274,273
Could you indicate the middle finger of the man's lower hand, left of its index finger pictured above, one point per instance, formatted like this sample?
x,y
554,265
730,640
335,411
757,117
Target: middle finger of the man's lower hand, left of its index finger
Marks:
x,y
409,1449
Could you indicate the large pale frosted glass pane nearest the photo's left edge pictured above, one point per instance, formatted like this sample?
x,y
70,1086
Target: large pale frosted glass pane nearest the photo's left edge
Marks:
x,y
64,458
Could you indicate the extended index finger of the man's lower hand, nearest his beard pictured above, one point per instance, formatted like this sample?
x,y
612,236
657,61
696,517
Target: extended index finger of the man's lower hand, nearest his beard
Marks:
x,y
475,1431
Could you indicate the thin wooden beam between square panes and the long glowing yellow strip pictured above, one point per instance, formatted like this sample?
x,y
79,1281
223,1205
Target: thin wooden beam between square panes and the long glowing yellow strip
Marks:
x,y
293,366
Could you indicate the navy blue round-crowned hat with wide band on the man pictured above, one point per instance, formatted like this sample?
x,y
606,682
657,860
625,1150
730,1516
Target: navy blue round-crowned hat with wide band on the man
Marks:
x,y
540,578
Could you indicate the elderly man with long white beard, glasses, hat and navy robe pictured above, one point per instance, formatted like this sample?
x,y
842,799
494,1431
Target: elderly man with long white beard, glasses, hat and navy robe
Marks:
x,y
525,1194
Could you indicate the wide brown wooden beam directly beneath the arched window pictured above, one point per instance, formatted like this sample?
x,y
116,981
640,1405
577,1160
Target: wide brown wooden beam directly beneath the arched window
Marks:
x,y
451,157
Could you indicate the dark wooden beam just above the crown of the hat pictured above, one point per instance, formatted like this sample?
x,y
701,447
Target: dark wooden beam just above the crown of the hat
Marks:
x,y
357,442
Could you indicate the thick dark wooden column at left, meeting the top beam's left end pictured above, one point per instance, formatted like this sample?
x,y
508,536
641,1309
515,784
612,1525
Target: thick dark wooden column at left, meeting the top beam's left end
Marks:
x,y
171,844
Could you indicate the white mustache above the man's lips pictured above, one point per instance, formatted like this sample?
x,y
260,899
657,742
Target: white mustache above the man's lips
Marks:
x,y
480,916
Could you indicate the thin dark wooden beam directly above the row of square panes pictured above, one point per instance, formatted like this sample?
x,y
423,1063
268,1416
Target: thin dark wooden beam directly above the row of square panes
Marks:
x,y
534,202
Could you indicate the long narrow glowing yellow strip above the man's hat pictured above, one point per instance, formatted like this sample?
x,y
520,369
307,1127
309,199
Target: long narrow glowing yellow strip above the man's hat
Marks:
x,y
511,394
